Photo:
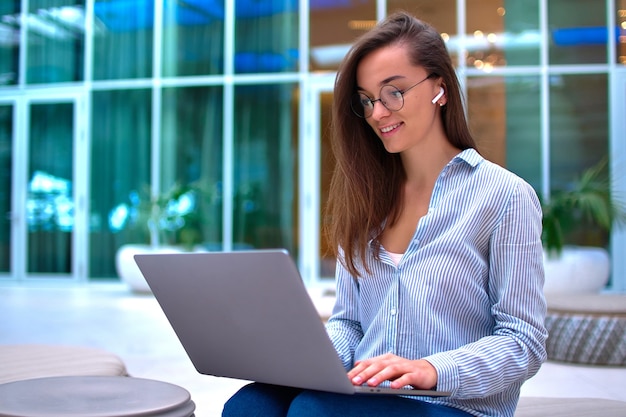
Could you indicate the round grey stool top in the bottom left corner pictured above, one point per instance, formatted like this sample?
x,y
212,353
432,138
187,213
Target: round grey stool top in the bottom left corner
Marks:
x,y
94,396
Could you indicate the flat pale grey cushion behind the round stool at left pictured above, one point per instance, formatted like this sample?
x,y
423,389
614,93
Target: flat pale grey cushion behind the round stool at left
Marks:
x,y
19,362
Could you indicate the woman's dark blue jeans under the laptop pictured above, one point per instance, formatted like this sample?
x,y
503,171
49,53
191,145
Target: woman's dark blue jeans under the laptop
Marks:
x,y
263,400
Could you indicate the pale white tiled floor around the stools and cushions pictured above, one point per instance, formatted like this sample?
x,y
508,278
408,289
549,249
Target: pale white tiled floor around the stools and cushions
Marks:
x,y
133,327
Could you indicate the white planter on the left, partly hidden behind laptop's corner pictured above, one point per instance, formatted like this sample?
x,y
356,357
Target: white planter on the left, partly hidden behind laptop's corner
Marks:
x,y
127,269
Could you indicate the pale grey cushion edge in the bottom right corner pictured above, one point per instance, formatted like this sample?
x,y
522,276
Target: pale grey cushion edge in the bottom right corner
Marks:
x,y
569,407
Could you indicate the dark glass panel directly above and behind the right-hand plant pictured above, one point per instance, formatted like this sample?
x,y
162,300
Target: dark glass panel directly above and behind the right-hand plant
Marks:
x,y
578,127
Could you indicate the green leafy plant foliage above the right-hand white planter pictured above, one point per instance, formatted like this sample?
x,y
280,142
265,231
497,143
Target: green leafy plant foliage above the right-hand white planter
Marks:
x,y
581,213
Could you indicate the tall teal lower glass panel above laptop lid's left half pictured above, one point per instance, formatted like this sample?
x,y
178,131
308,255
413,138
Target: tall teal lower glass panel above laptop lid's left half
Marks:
x,y
191,167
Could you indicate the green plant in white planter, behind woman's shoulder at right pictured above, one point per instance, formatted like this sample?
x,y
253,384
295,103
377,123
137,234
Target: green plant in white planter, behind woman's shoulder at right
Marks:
x,y
576,224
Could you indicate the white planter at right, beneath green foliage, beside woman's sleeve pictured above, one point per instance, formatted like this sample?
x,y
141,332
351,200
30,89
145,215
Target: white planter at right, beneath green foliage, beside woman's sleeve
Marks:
x,y
577,270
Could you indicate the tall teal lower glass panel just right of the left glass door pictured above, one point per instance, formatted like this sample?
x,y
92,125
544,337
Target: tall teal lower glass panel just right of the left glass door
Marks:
x,y
120,175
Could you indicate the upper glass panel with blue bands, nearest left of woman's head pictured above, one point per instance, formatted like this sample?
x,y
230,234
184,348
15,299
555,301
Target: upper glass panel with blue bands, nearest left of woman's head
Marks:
x,y
266,36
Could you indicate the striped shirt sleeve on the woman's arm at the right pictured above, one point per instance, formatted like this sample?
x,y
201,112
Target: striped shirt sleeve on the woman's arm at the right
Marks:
x,y
516,349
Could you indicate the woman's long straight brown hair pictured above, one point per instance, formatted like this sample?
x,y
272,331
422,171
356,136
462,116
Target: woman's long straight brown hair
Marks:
x,y
366,185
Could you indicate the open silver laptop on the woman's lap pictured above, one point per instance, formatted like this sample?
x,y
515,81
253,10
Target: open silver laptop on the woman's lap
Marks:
x,y
248,315
